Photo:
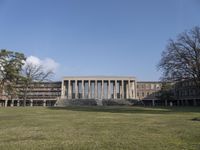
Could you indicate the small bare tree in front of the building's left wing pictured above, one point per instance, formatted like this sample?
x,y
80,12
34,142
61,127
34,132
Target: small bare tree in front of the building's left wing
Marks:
x,y
33,74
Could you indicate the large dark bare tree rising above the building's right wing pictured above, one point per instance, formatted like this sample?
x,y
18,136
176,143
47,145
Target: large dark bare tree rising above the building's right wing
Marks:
x,y
181,59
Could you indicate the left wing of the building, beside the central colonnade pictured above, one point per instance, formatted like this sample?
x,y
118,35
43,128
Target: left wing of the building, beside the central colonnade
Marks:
x,y
38,94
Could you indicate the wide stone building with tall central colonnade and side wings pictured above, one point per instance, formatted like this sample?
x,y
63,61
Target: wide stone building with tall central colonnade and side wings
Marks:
x,y
102,88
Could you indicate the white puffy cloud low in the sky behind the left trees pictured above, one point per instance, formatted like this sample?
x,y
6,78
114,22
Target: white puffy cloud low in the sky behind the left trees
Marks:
x,y
47,63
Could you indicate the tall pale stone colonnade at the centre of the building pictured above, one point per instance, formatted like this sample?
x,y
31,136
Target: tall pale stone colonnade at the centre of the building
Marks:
x,y
98,89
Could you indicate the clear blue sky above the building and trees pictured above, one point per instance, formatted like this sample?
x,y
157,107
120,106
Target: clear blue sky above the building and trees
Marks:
x,y
96,37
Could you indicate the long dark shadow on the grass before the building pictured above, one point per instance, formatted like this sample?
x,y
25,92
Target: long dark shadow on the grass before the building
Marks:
x,y
131,109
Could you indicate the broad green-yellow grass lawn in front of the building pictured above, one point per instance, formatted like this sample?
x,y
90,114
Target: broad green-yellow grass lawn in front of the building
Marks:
x,y
90,128
